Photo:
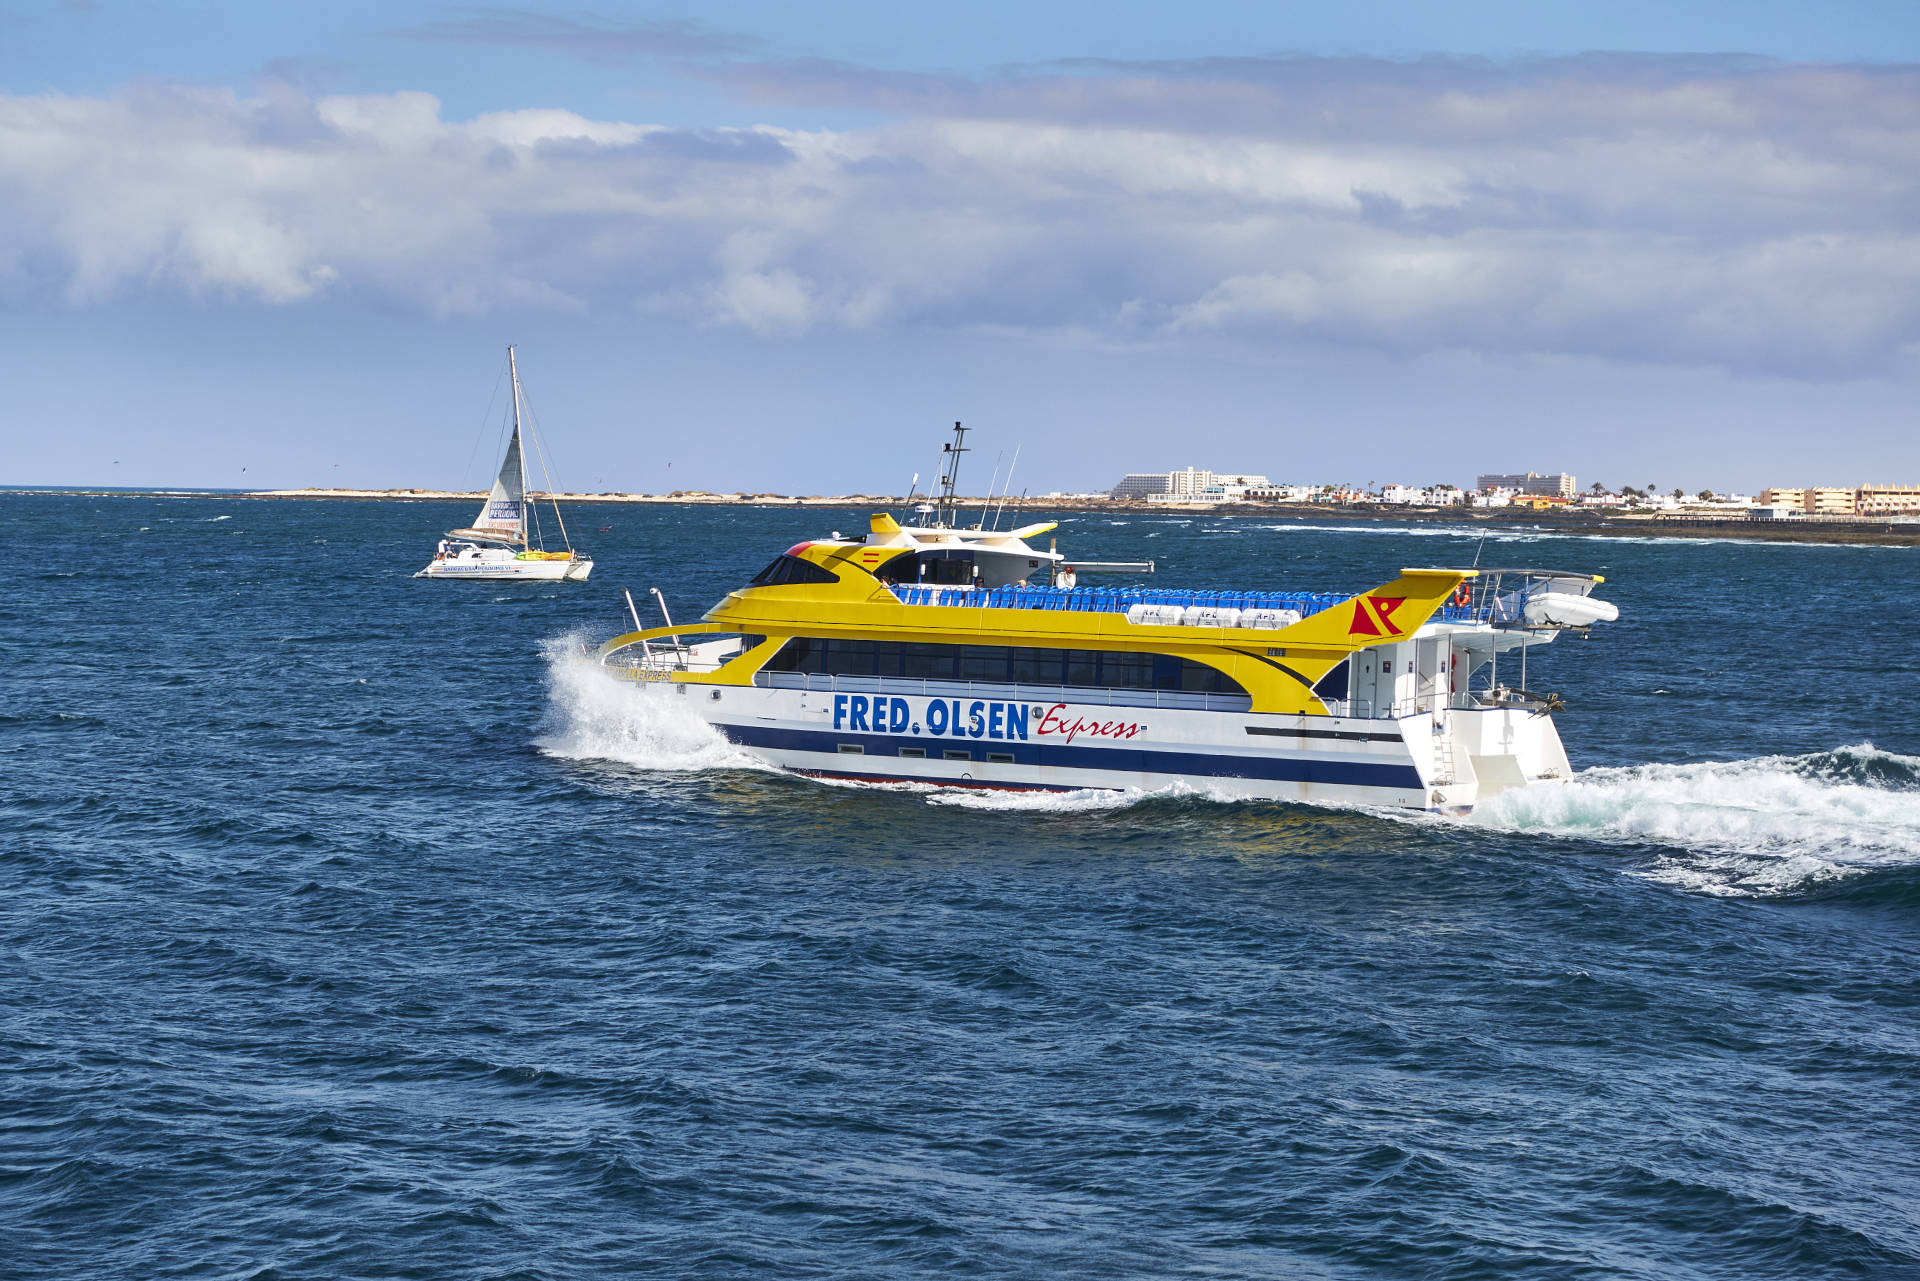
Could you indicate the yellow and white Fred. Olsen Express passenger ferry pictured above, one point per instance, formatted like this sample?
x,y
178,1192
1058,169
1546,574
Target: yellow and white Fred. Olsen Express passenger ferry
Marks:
x,y
928,654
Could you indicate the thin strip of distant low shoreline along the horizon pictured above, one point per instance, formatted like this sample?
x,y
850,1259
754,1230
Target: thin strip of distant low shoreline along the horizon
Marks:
x,y
1842,531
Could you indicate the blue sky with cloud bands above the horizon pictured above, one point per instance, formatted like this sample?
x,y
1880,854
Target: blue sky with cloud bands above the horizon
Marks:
x,y
784,249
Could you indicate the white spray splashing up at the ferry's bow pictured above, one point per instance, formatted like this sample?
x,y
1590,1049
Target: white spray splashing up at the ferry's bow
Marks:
x,y
596,717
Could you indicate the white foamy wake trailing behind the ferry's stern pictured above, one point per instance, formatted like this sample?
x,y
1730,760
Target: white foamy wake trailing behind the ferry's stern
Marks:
x,y
1762,827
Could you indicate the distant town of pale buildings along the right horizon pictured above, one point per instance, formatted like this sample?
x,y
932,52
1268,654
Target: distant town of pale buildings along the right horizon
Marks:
x,y
1529,491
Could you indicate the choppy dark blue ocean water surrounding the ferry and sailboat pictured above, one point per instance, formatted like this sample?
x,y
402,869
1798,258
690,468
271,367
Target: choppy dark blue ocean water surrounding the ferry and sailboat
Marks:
x,y
352,927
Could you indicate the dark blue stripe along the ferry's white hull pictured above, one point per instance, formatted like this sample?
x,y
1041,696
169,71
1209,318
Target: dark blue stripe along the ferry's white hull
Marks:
x,y
1113,760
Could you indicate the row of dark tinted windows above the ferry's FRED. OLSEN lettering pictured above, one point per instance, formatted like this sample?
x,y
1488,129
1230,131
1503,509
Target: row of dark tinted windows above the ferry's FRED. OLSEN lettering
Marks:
x,y
1022,665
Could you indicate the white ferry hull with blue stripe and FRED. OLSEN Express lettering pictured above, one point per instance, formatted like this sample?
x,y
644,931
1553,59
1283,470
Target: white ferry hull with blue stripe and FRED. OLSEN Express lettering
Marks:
x,y
1009,738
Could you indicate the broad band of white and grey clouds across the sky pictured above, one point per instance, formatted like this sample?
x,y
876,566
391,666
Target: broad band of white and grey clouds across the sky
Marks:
x,y
1702,212
